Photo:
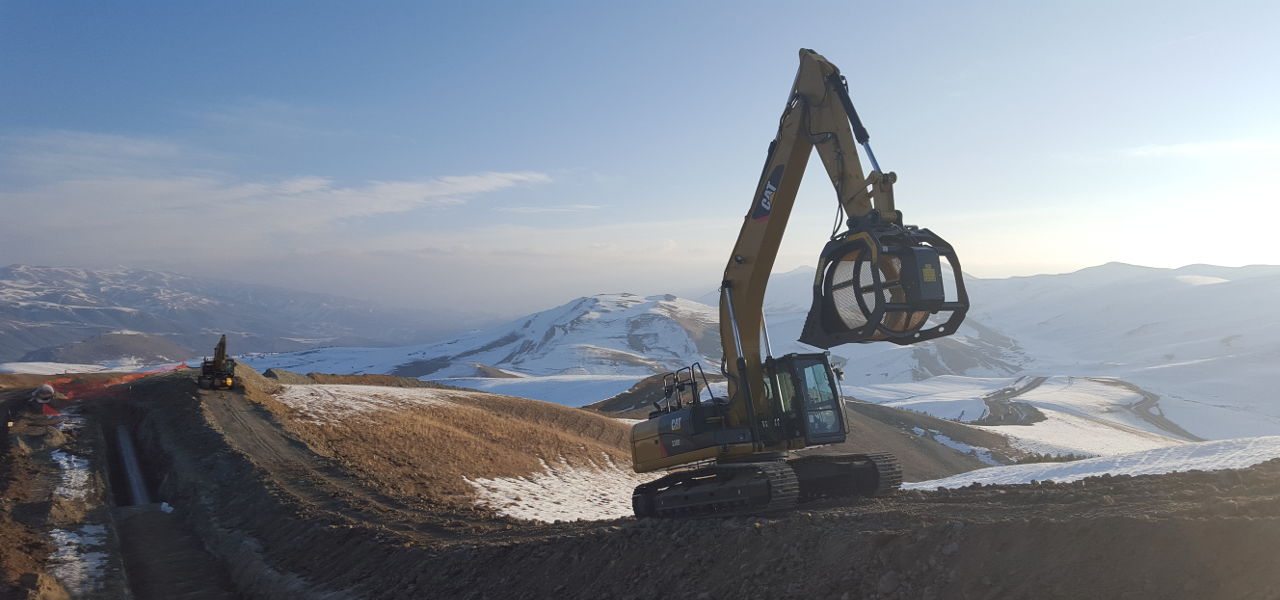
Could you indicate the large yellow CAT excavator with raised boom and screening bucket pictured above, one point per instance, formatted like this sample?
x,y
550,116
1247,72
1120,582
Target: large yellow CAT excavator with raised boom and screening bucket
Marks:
x,y
879,281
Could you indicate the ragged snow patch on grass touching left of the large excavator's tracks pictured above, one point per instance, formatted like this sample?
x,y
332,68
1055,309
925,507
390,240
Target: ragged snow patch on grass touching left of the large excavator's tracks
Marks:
x,y
563,493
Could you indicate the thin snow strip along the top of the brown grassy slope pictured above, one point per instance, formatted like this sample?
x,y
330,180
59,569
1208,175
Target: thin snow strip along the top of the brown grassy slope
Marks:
x,y
333,402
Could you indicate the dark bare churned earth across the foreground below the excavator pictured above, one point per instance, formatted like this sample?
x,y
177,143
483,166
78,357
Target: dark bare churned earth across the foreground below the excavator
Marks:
x,y
276,520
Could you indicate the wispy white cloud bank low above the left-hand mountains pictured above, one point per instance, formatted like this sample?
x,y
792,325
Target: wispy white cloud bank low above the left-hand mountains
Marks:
x,y
84,198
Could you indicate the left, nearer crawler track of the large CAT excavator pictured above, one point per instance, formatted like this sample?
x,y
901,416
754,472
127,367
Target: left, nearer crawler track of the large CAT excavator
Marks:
x,y
721,491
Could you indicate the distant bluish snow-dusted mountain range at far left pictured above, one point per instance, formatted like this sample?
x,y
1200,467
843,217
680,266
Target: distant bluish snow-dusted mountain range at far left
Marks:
x,y
43,309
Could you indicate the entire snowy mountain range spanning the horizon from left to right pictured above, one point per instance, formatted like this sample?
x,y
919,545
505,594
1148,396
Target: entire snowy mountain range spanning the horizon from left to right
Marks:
x,y
1201,340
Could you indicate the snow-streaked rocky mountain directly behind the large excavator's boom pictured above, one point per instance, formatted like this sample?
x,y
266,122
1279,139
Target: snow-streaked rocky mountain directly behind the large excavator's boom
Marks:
x,y
633,336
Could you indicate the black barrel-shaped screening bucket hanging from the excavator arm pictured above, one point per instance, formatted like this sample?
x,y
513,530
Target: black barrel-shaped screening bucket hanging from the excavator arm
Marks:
x,y
885,282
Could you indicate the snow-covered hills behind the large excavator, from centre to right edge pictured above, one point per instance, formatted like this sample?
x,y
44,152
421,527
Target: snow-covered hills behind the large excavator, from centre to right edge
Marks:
x,y
1199,338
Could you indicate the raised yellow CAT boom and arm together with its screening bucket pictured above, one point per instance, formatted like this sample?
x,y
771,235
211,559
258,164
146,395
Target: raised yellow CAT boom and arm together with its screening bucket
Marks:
x,y
821,116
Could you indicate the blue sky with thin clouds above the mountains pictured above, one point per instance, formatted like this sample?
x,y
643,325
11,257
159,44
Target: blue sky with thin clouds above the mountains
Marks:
x,y
501,158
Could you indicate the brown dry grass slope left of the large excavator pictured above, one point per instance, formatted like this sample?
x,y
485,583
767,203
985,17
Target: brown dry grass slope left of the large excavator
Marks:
x,y
424,454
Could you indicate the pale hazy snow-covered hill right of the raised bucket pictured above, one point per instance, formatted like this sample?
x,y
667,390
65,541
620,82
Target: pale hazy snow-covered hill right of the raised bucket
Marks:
x,y
1203,338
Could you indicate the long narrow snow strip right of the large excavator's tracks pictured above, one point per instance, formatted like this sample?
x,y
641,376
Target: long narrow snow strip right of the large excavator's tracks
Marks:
x,y
1205,456
